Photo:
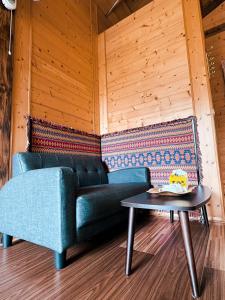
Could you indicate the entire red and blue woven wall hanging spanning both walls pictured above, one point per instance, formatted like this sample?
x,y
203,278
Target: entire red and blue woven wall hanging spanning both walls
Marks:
x,y
160,147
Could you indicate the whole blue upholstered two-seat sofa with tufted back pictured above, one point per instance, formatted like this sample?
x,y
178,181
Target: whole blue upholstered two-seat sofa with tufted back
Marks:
x,y
57,200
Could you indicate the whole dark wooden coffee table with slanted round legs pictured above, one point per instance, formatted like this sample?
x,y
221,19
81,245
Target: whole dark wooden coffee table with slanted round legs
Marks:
x,y
183,204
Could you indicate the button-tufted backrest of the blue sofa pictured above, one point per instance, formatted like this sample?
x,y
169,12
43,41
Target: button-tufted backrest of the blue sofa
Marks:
x,y
89,170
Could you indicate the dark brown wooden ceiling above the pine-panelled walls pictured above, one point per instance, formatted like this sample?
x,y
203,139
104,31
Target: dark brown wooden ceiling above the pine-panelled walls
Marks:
x,y
126,7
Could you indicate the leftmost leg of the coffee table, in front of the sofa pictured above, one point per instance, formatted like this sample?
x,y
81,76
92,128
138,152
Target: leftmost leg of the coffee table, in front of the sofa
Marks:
x,y
130,241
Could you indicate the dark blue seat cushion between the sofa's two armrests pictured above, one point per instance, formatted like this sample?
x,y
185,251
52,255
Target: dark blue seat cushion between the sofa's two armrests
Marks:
x,y
94,203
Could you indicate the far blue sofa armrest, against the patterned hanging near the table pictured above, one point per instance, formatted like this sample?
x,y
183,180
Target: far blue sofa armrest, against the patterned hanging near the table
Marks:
x,y
129,175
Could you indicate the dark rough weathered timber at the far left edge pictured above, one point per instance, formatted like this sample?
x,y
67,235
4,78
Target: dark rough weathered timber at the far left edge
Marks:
x,y
5,95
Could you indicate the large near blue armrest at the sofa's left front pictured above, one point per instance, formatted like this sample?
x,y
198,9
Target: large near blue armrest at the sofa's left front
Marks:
x,y
38,206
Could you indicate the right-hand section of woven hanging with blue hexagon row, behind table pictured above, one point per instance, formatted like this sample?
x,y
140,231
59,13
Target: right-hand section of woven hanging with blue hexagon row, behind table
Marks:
x,y
161,147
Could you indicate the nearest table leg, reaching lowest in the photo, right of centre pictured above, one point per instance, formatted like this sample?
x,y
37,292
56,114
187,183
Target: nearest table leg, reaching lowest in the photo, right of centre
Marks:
x,y
185,226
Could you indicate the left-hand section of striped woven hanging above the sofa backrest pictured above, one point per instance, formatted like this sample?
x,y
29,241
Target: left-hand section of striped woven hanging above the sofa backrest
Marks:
x,y
47,137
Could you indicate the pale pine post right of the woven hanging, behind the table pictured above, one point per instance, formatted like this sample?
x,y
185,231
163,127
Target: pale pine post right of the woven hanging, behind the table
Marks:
x,y
202,104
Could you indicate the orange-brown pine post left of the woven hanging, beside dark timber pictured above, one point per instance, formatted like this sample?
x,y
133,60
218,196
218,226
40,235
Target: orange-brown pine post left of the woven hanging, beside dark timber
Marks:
x,y
21,75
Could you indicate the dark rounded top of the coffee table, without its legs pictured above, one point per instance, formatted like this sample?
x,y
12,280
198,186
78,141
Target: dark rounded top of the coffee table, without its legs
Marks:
x,y
192,201
